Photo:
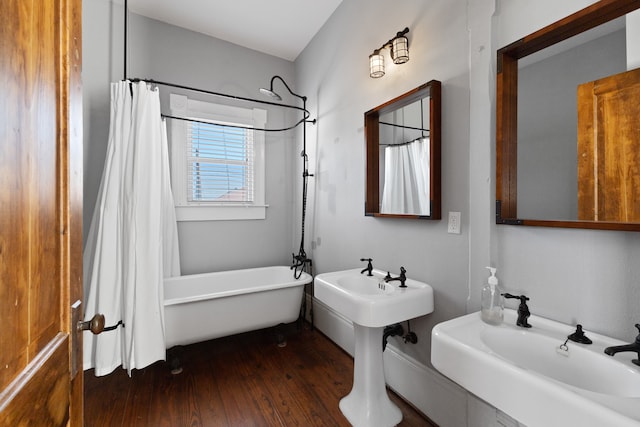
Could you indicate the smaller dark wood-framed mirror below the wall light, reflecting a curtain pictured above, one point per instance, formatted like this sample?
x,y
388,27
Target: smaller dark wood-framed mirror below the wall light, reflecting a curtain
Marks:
x,y
403,155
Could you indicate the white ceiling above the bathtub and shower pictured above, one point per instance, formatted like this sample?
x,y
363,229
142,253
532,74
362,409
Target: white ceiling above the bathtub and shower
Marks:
x,y
281,28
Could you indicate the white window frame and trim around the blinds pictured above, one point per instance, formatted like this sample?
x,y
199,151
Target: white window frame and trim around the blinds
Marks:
x,y
182,106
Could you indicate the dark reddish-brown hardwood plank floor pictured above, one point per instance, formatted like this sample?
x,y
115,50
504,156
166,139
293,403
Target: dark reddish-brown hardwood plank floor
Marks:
x,y
243,380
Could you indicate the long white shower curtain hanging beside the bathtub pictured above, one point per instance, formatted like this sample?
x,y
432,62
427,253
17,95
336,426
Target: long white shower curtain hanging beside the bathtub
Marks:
x,y
132,243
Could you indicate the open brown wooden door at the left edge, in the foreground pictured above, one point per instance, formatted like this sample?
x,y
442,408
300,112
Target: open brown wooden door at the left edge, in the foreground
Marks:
x,y
40,211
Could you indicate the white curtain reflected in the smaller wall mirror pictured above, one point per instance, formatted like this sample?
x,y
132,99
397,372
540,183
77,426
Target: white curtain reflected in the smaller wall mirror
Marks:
x,y
406,179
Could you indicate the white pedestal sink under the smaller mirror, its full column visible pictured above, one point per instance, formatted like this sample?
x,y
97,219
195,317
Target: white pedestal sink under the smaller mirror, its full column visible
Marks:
x,y
371,304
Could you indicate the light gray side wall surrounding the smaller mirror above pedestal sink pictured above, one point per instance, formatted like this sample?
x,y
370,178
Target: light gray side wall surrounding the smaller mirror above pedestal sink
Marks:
x,y
340,90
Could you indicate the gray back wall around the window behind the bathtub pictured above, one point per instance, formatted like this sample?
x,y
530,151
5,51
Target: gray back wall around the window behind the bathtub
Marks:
x,y
168,53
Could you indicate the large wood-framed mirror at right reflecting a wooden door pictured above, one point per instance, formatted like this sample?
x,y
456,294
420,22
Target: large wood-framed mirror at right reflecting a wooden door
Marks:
x,y
578,184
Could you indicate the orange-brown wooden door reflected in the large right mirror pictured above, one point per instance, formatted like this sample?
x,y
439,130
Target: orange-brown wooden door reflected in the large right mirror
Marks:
x,y
609,148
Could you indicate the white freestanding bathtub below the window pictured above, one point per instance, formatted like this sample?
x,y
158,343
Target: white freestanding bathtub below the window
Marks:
x,y
201,307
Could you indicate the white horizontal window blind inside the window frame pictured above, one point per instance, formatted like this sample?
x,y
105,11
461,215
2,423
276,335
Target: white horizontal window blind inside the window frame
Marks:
x,y
219,163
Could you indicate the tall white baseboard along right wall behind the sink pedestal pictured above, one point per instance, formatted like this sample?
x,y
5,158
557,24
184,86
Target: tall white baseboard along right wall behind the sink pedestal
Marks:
x,y
441,400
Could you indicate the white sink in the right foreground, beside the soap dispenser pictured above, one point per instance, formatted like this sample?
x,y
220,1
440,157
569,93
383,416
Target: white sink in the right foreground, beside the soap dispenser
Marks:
x,y
533,376
